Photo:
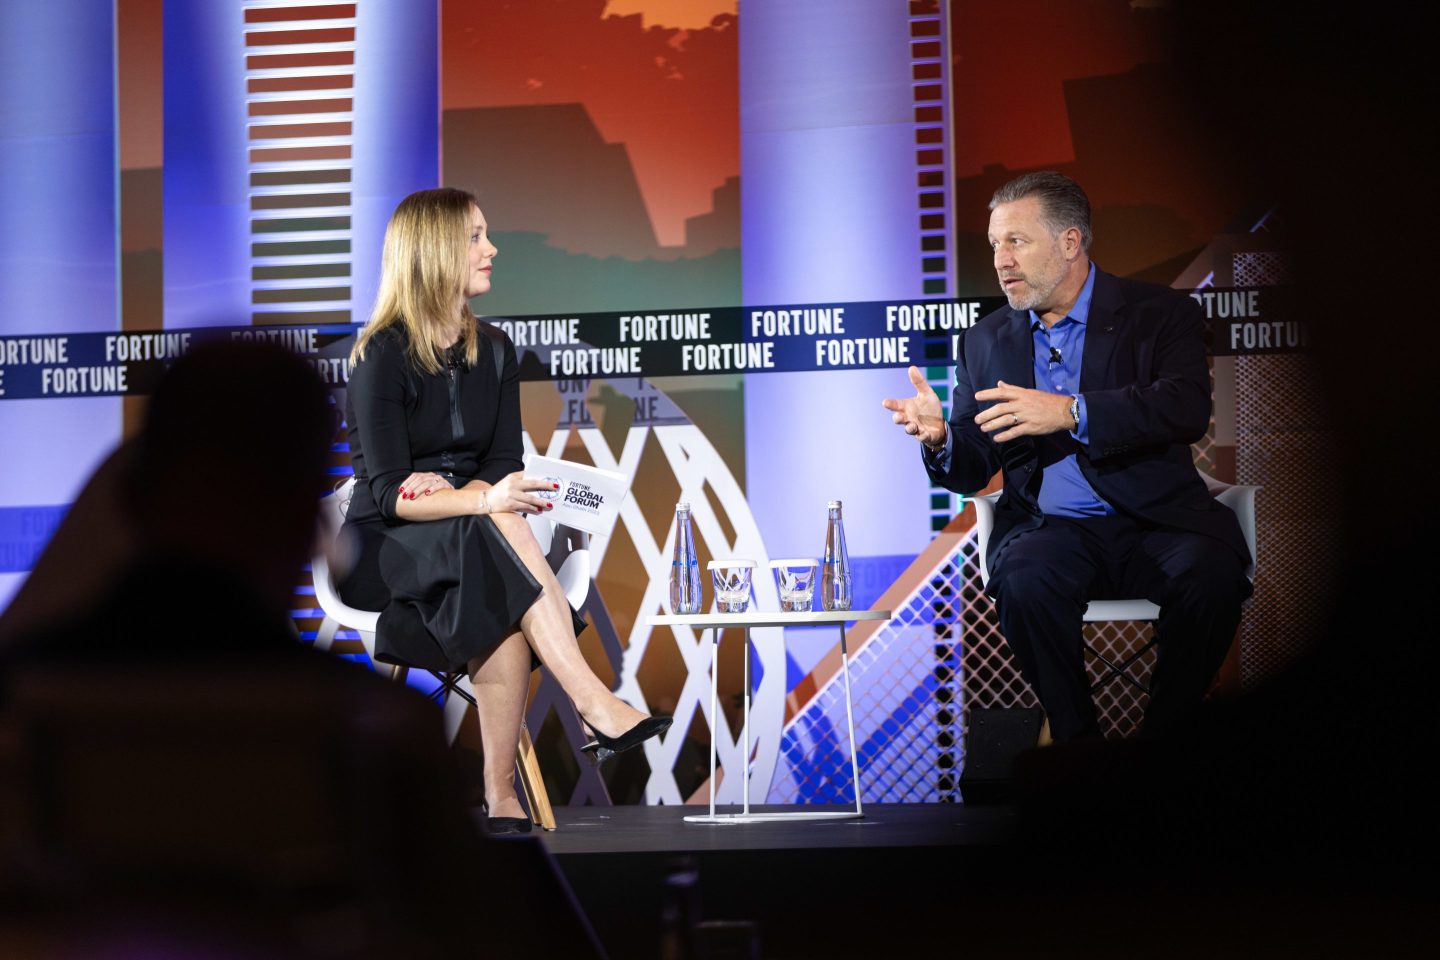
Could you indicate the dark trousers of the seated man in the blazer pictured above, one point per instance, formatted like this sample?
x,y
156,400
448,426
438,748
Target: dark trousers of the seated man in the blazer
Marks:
x,y
1043,579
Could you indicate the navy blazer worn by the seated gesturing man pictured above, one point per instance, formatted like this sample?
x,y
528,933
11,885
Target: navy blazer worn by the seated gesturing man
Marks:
x,y
1147,392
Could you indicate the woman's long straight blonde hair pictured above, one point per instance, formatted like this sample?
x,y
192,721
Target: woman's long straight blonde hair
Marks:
x,y
424,271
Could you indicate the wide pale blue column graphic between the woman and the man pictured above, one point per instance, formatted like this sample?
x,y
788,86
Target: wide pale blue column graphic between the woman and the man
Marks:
x,y
829,172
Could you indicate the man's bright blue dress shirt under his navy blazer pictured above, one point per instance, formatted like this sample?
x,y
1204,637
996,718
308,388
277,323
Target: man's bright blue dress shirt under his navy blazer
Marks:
x,y
1063,489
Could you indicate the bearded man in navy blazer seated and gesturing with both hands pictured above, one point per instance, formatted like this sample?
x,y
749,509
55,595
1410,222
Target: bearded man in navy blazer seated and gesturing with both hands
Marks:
x,y
1086,394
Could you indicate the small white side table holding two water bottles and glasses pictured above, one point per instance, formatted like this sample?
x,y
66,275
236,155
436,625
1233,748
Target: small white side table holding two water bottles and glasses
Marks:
x,y
715,622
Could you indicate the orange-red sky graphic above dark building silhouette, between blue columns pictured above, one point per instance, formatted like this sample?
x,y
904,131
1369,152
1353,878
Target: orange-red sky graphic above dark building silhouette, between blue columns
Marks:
x,y
670,96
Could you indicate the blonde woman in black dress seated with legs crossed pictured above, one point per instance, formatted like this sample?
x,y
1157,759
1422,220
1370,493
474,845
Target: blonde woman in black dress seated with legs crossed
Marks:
x,y
440,503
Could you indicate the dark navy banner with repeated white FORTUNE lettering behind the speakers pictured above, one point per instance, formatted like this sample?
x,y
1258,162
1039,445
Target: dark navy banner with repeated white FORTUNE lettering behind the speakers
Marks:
x,y
722,340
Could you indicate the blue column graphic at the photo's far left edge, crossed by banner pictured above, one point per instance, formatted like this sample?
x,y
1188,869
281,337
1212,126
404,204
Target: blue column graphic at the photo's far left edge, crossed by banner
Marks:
x,y
60,247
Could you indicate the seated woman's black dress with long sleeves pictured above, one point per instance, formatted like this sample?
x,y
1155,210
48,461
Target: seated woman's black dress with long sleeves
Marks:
x,y
447,589
